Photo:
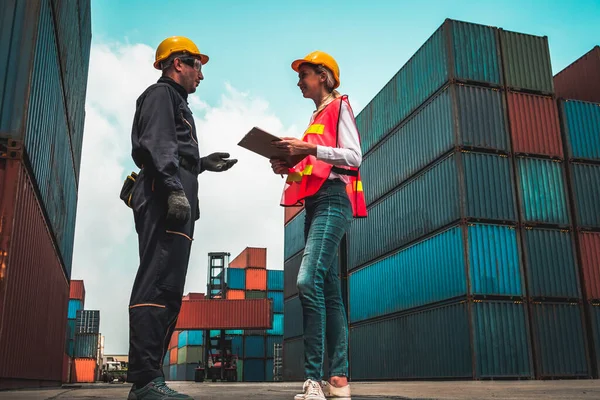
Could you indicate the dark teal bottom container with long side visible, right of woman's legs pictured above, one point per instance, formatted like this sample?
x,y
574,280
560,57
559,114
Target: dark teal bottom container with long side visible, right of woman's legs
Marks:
x,y
436,343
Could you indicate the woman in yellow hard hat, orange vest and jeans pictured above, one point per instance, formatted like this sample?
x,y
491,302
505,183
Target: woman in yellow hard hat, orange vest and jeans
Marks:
x,y
327,182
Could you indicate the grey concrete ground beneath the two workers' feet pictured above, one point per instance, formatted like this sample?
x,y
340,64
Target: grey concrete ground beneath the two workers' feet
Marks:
x,y
466,390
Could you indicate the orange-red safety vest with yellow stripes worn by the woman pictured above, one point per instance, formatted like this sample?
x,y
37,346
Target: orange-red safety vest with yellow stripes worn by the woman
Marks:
x,y
306,178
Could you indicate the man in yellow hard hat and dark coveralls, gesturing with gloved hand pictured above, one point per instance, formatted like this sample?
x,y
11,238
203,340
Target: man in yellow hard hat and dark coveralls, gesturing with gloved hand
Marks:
x,y
164,200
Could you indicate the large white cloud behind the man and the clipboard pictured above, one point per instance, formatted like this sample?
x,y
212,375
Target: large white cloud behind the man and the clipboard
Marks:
x,y
238,208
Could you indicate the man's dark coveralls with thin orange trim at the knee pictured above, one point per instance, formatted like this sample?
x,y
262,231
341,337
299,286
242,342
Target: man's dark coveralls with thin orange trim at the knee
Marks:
x,y
165,147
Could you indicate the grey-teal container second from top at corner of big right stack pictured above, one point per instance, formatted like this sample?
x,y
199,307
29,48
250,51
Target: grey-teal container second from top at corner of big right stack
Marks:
x,y
459,115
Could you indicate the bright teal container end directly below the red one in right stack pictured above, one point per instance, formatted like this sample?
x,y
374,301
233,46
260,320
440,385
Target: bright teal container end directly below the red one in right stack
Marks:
x,y
542,188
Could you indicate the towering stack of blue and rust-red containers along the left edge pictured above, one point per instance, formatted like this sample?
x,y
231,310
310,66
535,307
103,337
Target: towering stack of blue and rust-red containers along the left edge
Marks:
x,y
39,180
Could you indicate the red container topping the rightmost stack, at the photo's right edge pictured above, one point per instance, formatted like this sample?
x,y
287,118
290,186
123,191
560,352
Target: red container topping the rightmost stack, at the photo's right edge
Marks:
x,y
580,80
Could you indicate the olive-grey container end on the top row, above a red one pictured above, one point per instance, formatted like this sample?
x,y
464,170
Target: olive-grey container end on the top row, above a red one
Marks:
x,y
526,60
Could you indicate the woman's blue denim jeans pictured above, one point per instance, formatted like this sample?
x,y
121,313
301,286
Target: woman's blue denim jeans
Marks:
x,y
328,215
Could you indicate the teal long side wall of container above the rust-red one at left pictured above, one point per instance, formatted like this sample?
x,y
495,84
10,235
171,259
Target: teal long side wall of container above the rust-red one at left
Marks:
x,y
47,139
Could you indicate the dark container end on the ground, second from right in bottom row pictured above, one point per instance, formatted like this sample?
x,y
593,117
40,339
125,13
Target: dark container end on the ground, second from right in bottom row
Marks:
x,y
559,340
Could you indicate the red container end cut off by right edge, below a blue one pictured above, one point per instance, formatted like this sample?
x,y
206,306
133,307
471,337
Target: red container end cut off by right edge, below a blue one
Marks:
x,y
589,244
